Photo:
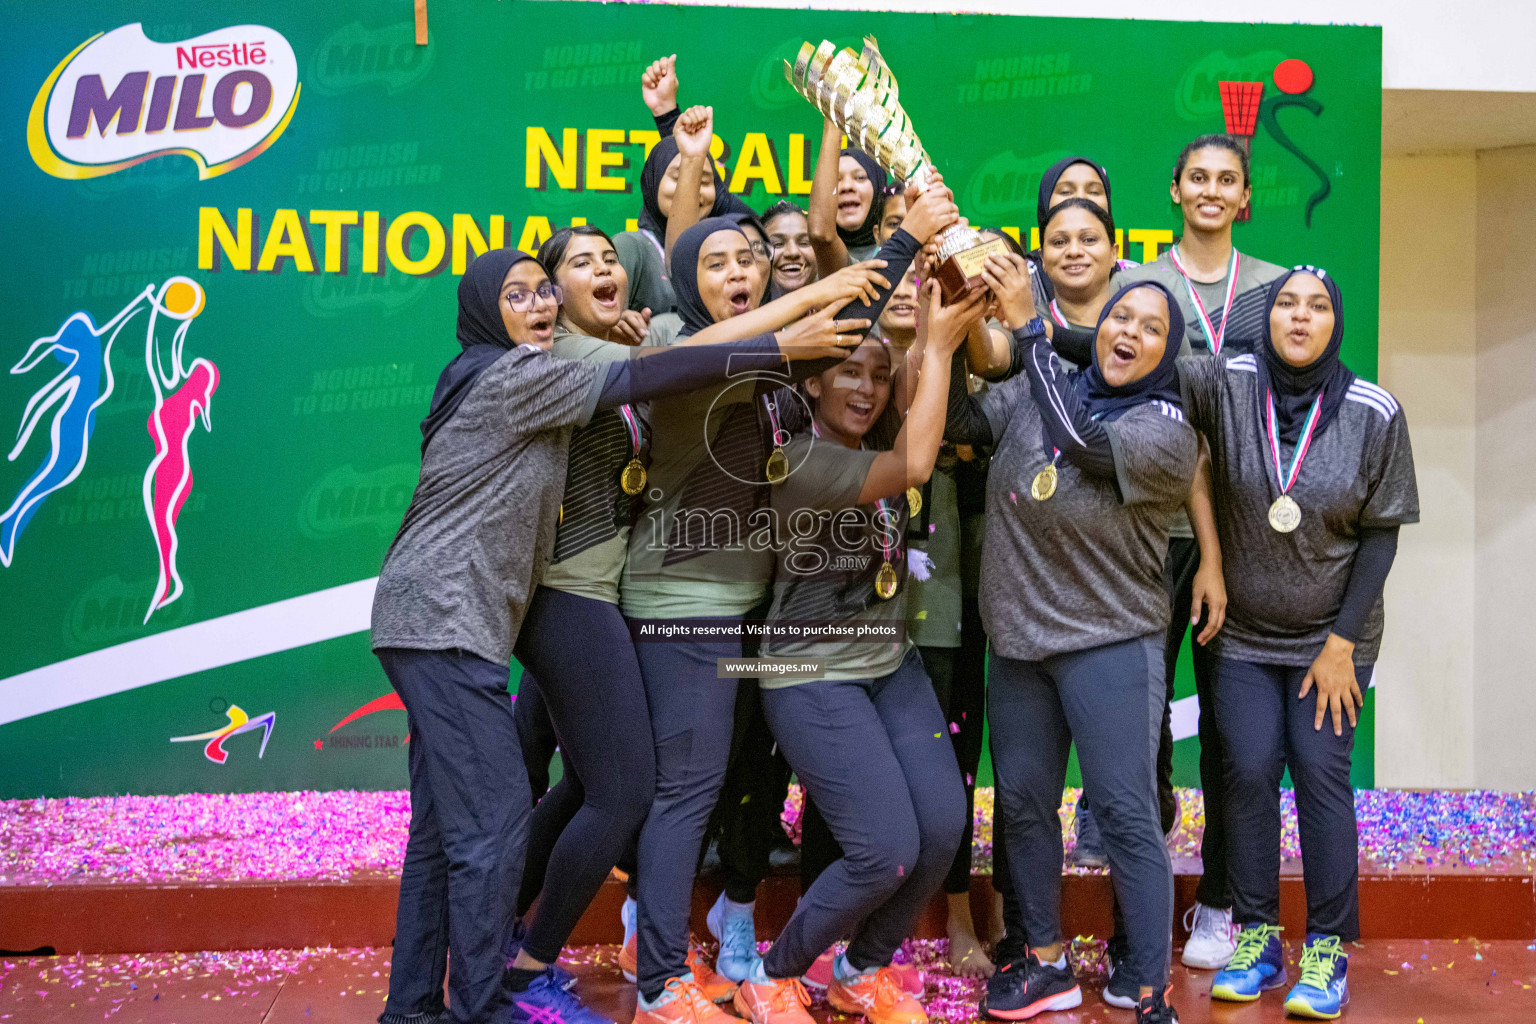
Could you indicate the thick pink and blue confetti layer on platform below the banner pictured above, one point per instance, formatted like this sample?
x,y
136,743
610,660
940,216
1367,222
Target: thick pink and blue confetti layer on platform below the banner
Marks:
x,y
345,834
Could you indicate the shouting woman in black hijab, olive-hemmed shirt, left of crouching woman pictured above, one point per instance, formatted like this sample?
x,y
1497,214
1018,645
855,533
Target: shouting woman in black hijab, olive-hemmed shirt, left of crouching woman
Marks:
x,y
694,561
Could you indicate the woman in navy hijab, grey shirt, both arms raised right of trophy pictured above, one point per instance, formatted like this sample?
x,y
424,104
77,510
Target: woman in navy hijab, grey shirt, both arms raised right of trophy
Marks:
x,y
1087,477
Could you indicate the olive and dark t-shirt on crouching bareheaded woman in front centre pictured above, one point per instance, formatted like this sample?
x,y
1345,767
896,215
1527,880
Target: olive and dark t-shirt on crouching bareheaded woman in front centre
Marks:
x,y
827,567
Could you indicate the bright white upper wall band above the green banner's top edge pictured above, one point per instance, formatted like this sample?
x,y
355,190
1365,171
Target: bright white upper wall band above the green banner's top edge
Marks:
x,y
1481,45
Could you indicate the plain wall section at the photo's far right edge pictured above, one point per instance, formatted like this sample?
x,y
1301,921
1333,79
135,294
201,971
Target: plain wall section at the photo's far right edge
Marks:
x,y
1505,712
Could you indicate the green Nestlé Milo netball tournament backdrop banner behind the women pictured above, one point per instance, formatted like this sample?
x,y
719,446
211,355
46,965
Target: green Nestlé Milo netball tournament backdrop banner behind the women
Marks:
x,y
237,233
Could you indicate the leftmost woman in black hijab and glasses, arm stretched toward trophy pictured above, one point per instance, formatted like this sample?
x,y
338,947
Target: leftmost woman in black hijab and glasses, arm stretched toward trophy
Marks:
x,y
451,603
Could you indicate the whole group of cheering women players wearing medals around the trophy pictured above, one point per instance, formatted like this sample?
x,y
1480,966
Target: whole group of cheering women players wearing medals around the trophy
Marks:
x,y
723,420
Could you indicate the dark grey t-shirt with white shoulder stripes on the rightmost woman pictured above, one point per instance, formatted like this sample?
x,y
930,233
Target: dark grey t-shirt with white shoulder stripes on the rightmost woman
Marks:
x,y
1286,590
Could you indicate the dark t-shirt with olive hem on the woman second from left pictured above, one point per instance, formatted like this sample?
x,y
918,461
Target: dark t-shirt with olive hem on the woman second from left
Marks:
x,y
595,512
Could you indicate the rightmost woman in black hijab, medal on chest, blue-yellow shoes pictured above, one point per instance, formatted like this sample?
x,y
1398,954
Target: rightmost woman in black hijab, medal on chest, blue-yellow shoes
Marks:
x,y
1314,477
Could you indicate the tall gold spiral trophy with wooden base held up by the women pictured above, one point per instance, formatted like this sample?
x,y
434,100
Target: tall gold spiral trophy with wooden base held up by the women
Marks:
x,y
859,94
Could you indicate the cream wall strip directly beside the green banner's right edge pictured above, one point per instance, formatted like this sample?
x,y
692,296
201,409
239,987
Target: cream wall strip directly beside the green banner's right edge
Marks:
x,y
1428,357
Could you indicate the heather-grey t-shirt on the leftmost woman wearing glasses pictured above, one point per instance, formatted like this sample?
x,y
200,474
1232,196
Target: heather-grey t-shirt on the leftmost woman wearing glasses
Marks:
x,y
480,529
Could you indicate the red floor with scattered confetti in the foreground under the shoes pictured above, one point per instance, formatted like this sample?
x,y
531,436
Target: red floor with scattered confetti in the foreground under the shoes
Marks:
x,y
1399,982
